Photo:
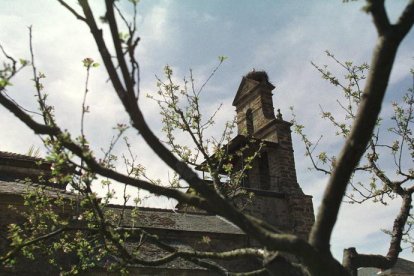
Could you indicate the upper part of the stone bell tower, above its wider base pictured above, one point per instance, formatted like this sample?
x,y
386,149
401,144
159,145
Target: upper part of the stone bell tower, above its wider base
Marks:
x,y
274,170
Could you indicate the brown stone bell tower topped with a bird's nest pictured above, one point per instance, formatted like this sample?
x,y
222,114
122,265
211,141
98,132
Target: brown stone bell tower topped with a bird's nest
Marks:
x,y
278,199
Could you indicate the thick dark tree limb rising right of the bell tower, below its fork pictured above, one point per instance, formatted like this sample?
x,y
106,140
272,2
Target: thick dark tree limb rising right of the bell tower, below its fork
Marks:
x,y
381,65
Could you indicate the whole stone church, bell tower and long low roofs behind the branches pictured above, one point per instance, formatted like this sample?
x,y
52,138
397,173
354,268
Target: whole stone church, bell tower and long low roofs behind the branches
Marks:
x,y
277,196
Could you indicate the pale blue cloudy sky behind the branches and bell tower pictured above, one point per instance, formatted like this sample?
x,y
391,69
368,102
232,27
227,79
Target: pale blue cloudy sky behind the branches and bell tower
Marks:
x,y
280,37
